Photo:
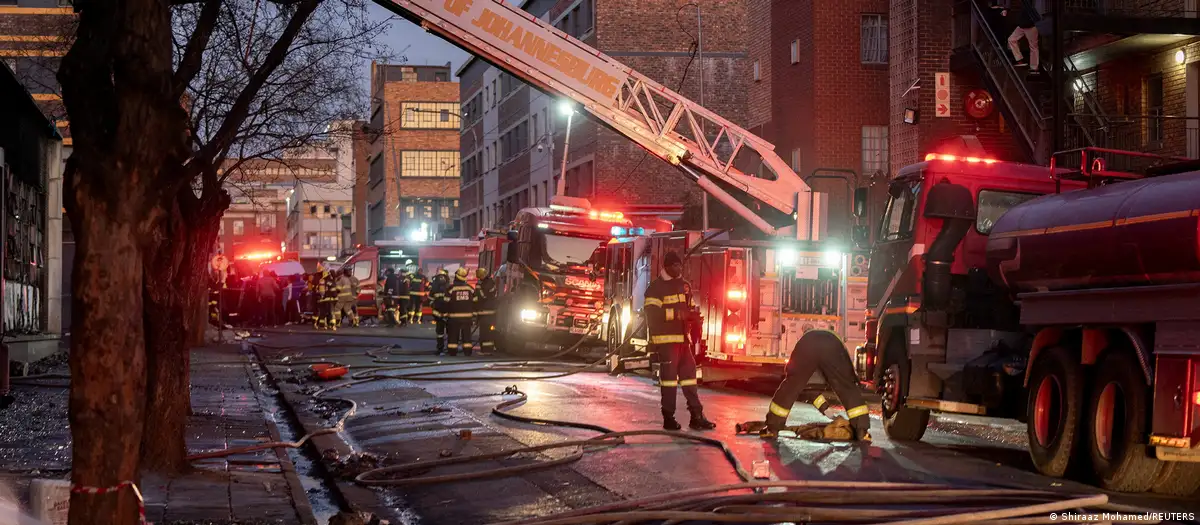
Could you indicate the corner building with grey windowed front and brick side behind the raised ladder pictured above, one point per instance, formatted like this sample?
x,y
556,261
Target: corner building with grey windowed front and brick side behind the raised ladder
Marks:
x,y
513,135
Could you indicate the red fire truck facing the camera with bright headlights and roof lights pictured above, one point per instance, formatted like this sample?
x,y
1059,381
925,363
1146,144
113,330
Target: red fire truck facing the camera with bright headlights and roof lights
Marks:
x,y
549,265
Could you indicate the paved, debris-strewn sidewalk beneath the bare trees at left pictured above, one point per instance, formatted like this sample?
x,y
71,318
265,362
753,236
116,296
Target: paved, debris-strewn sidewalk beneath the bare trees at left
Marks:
x,y
259,488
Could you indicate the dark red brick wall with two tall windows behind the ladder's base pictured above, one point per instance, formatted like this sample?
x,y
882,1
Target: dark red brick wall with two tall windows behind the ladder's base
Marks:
x,y
819,94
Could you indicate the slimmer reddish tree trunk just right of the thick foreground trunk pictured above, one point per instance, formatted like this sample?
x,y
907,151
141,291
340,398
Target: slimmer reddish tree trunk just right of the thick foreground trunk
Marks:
x,y
175,286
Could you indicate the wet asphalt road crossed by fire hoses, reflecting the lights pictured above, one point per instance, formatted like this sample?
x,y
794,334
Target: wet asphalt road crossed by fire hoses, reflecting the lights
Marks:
x,y
407,420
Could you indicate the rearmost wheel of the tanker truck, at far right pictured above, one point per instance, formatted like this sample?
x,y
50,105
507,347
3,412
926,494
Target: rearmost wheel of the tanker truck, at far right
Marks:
x,y
1117,426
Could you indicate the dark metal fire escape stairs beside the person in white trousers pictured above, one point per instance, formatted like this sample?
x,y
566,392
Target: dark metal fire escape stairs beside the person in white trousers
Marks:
x,y
1028,105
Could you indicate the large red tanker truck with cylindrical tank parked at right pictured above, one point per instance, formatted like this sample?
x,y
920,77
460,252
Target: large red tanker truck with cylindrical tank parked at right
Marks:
x,y
1069,299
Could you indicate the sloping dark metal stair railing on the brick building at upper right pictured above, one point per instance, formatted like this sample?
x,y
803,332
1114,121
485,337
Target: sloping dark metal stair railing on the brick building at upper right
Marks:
x,y
1025,110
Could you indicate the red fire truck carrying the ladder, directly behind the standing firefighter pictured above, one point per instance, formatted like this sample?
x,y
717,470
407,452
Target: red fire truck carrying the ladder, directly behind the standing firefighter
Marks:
x,y
757,298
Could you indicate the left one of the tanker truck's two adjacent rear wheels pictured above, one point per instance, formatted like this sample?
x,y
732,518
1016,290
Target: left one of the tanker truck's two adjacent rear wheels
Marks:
x,y
1054,412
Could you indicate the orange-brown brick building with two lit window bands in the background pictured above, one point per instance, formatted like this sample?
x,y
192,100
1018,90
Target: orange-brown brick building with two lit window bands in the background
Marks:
x,y
413,166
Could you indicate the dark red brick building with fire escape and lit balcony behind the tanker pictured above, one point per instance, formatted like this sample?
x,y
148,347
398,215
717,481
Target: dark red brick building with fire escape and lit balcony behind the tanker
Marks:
x,y
1129,80
